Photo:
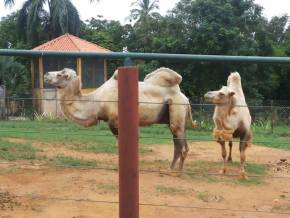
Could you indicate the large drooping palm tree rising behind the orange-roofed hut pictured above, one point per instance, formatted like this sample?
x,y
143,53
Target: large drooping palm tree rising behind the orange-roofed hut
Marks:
x,y
34,20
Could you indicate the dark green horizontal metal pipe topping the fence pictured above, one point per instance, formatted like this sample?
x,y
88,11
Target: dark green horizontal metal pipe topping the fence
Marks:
x,y
149,56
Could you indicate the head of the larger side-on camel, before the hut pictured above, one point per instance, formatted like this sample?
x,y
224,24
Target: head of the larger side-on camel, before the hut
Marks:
x,y
60,79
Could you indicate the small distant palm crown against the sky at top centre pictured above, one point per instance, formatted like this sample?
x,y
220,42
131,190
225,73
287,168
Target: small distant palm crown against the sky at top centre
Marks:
x,y
144,9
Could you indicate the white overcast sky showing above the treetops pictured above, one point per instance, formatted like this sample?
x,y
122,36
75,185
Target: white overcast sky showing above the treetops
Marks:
x,y
120,9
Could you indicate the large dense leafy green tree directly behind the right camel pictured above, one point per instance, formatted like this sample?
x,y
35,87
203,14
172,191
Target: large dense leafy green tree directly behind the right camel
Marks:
x,y
218,27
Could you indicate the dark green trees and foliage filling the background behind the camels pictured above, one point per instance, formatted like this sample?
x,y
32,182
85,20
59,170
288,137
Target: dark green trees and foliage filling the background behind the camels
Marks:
x,y
222,27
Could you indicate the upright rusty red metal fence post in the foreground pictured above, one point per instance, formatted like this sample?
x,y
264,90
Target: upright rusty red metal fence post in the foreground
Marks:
x,y
128,138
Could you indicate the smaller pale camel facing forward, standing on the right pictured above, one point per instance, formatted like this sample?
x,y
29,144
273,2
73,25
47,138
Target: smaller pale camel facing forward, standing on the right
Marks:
x,y
232,118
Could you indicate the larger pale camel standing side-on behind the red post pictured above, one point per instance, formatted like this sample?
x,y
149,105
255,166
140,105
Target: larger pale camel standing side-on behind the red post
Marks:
x,y
161,101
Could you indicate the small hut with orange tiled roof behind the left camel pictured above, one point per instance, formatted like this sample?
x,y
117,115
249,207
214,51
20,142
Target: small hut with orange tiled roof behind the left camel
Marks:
x,y
92,71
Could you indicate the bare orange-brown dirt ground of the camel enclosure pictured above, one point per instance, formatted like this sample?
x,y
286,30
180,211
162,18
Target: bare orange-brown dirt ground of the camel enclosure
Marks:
x,y
20,186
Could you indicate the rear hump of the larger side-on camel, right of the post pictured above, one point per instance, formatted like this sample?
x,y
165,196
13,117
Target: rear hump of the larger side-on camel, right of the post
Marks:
x,y
163,77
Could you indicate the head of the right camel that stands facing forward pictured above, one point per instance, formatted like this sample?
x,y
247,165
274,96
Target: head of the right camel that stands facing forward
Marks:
x,y
222,96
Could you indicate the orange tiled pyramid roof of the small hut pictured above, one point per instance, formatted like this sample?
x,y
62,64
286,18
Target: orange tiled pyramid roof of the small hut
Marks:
x,y
68,42
